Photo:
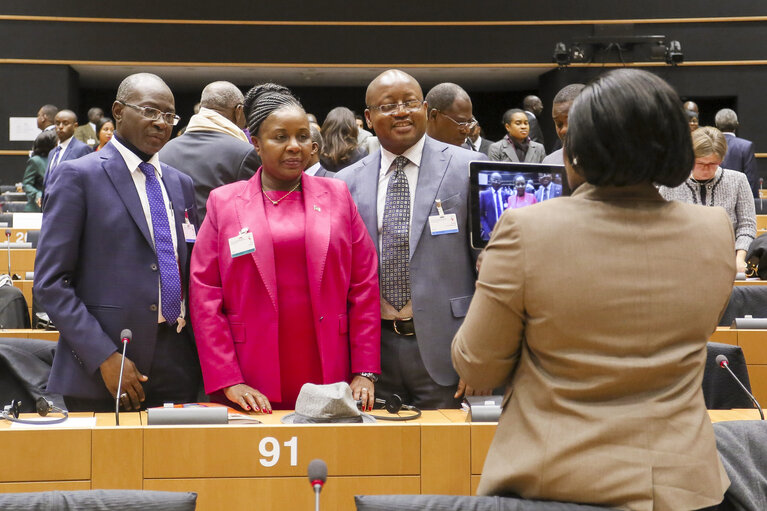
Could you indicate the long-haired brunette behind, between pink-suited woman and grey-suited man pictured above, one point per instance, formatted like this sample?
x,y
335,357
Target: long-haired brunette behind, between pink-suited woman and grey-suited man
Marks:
x,y
339,137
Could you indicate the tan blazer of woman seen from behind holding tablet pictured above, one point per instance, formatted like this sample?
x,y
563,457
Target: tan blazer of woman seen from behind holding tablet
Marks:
x,y
597,309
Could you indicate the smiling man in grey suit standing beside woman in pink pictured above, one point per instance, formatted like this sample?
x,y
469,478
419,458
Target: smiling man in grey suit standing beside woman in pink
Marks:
x,y
413,197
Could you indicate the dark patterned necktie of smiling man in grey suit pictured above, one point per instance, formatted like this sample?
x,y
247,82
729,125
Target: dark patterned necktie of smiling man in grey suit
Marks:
x,y
395,238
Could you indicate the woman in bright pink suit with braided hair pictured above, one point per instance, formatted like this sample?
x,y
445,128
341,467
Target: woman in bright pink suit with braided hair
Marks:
x,y
284,278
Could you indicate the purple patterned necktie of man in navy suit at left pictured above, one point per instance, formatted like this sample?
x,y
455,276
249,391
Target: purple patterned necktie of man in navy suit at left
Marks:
x,y
170,280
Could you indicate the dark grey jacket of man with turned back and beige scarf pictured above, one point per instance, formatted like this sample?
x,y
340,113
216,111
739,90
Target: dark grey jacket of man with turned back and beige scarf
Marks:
x,y
211,159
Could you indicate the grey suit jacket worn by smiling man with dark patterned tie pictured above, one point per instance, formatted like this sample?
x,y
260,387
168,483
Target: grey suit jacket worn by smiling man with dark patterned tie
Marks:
x,y
441,267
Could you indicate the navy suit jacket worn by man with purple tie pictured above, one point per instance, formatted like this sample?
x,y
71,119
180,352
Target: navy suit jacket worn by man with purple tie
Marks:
x,y
96,271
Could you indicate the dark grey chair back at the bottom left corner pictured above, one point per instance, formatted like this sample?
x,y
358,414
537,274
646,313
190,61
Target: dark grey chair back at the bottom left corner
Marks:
x,y
101,500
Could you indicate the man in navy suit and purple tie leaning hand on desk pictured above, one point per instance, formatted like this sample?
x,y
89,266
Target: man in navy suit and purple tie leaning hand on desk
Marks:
x,y
113,254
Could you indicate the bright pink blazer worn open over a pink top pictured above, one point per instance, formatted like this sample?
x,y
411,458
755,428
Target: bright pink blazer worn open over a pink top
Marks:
x,y
234,300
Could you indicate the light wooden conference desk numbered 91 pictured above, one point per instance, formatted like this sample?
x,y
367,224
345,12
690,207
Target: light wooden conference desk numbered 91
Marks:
x,y
260,466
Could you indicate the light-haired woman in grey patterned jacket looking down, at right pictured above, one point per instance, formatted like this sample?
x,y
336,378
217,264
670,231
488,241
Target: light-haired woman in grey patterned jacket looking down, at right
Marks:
x,y
711,185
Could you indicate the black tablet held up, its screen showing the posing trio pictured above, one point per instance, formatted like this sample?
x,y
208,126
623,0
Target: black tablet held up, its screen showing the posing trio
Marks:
x,y
498,186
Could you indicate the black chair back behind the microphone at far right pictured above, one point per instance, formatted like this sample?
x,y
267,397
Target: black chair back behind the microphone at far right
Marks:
x,y
720,391
